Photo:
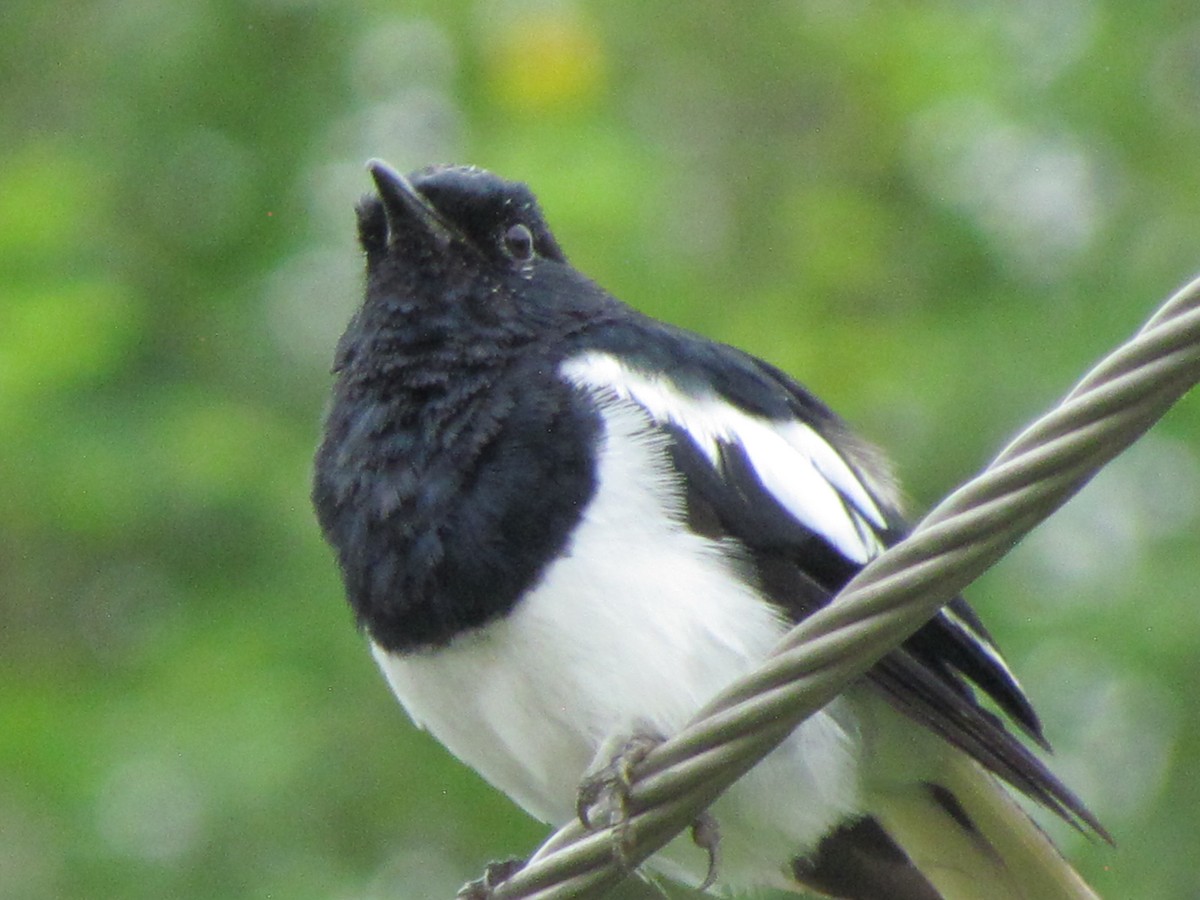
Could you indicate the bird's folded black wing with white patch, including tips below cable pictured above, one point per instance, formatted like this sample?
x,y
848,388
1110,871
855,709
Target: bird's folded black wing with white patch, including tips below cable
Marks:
x,y
766,465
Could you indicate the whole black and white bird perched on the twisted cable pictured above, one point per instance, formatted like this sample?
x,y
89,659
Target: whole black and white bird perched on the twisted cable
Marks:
x,y
562,524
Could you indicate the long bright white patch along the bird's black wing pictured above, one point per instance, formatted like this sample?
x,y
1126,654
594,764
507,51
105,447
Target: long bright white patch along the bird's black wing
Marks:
x,y
794,463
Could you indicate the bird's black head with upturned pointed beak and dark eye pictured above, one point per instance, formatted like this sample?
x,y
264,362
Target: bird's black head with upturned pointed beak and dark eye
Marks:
x,y
460,259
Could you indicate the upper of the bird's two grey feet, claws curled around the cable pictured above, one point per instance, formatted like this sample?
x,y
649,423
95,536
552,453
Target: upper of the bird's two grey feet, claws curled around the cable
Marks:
x,y
604,801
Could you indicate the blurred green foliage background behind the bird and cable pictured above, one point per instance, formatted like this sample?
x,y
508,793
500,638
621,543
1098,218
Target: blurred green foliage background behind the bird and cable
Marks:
x,y
935,214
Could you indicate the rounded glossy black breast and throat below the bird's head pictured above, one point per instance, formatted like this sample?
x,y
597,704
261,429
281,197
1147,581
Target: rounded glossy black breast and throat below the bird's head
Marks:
x,y
454,469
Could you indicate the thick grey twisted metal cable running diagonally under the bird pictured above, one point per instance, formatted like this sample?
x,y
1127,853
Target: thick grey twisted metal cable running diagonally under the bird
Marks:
x,y
889,601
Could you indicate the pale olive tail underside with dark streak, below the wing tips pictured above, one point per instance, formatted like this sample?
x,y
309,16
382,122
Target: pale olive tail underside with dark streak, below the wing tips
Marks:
x,y
971,841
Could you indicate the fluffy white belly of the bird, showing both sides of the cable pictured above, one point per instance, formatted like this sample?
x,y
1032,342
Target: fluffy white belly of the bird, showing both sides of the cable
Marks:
x,y
634,629
